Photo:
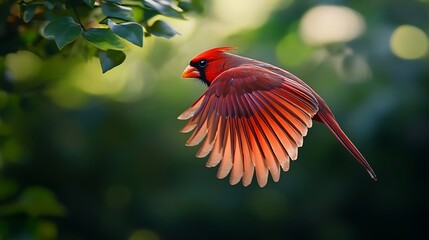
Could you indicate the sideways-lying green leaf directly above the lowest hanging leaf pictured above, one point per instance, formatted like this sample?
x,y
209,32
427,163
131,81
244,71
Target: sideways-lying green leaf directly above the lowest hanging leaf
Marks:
x,y
103,39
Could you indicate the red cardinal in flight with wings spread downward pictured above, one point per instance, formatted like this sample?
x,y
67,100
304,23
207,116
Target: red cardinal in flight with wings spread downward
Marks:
x,y
253,116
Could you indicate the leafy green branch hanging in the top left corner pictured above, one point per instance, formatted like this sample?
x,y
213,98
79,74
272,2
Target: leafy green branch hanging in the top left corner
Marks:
x,y
104,24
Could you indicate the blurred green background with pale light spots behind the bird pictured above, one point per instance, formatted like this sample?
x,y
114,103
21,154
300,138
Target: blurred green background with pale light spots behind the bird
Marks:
x,y
85,155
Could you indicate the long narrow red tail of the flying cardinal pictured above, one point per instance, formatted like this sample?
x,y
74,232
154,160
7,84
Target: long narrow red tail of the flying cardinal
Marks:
x,y
325,115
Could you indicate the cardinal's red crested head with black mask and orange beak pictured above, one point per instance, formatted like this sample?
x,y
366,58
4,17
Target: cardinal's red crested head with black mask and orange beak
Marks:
x,y
207,65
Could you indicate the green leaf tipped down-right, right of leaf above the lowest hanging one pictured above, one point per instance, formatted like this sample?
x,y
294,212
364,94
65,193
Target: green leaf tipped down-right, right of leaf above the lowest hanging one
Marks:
x,y
132,32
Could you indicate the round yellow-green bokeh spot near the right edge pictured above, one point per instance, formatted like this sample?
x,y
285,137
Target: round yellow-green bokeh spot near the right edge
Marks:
x,y
409,42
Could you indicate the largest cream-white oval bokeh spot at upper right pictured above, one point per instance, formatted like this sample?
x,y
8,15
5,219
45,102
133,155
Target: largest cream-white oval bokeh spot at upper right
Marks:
x,y
331,24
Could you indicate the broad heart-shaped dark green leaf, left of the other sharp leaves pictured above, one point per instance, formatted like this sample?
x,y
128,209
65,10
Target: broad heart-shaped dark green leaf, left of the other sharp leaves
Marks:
x,y
63,30
